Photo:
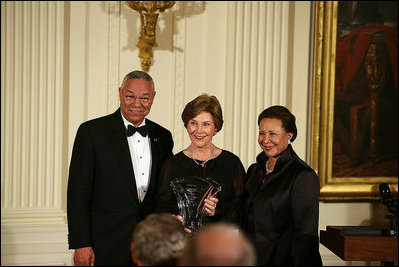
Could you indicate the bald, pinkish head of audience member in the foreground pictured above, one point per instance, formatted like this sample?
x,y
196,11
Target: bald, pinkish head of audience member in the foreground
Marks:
x,y
219,244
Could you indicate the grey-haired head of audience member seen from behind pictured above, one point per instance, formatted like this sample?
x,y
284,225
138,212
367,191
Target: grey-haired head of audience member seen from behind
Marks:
x,y
158,240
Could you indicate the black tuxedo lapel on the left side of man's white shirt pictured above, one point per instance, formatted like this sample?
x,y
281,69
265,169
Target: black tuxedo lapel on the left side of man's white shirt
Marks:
x,y
117,134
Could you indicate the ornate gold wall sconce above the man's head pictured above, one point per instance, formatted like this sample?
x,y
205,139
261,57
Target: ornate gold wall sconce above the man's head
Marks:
x,y
149,12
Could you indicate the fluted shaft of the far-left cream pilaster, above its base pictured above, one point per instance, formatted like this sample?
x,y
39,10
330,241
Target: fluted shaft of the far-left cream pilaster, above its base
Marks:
x,y
32,105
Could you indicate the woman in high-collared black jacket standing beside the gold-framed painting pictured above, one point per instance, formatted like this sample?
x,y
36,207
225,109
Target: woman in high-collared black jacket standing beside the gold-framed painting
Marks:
x,y
282,196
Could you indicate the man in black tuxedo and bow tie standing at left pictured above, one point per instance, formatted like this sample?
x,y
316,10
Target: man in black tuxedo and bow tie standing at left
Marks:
x,y
113,175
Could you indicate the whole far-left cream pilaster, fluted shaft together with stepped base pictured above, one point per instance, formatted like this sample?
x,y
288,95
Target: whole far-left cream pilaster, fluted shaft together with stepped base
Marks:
x,y
33,228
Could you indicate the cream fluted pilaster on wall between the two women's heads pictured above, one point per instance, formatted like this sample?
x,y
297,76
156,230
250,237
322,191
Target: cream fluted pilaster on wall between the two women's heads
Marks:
x,y
256,69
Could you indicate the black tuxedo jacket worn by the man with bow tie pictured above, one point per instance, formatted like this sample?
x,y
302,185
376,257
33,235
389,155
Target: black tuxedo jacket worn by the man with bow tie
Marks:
x,y
102,201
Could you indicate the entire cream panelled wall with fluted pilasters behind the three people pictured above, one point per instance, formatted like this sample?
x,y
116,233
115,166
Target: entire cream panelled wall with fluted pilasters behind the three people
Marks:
x,y
62,62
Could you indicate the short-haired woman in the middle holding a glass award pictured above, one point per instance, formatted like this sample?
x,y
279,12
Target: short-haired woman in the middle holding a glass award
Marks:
x,y
202,172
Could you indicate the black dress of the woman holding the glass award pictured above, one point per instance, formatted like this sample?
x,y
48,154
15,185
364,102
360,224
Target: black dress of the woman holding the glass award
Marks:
x,y
226,169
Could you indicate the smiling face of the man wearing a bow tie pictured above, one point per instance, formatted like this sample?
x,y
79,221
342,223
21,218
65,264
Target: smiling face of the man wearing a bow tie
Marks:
x,y
136,98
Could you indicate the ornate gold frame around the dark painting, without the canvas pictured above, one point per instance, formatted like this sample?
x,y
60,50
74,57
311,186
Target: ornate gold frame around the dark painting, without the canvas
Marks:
x,y
322,129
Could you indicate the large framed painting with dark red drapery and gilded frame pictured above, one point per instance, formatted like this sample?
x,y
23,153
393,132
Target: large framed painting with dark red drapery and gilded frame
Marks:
x,y
354,132
